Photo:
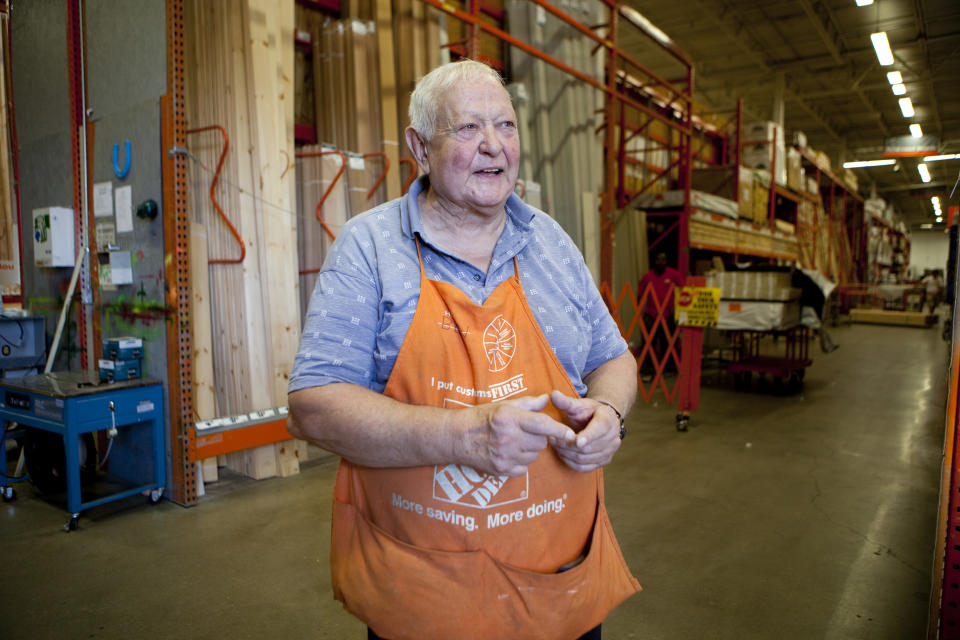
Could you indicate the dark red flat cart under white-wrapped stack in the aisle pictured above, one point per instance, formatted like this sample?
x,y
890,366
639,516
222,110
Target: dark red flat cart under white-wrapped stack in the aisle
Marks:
x,y
786,369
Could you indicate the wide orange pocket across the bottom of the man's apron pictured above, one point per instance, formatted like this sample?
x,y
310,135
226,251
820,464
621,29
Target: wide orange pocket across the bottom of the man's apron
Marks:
x,y
402,591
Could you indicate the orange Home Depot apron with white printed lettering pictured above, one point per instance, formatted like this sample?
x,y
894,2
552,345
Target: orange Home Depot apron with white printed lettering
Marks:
x,y
447,552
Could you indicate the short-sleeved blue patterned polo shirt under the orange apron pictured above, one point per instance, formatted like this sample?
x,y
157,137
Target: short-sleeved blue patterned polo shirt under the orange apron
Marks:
x,y
368,289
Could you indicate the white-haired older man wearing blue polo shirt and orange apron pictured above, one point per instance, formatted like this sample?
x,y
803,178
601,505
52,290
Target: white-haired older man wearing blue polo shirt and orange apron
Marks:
x,y
458,357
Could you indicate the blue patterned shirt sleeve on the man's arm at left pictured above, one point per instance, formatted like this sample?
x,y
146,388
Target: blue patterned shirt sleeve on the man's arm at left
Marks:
x,y
339,333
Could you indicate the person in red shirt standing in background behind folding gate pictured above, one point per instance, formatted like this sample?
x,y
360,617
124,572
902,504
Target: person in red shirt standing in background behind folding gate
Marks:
x,y
658,284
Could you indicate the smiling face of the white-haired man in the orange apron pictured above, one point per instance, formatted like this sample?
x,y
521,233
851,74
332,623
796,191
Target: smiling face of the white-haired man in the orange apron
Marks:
x,y
473,158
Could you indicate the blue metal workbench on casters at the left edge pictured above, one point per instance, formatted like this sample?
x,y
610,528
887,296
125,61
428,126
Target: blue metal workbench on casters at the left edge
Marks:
x,y
69,404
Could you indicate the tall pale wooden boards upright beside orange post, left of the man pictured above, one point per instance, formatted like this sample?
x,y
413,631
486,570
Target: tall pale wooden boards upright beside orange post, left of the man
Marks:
x,y
239,75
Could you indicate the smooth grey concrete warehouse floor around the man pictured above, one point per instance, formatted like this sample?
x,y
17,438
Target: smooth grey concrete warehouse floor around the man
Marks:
x,y
810,515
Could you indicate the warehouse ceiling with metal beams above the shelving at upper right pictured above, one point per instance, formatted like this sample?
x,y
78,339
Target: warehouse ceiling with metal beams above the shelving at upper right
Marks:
x,y
817,55
